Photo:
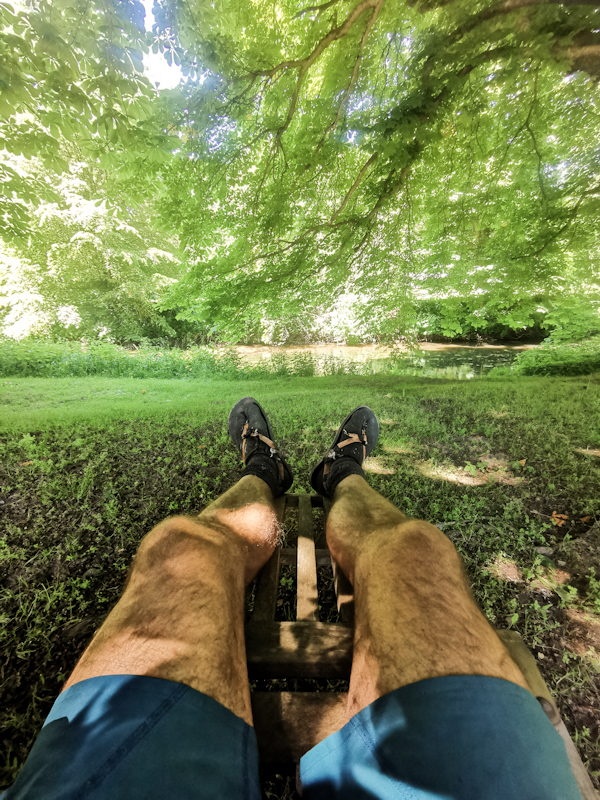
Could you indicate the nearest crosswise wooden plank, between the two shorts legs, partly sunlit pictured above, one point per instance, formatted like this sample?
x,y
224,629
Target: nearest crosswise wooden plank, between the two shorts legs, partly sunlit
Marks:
x,y
288,724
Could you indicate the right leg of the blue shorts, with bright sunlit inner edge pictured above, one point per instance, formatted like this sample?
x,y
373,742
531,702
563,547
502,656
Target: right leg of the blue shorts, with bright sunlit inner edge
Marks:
x,y
463,737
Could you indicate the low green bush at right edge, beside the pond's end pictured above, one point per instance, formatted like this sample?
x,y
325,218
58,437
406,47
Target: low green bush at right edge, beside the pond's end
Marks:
x,y
573,359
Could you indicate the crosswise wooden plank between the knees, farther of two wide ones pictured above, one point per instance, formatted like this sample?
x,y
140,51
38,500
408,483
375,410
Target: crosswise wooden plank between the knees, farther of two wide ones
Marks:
x,y
301,649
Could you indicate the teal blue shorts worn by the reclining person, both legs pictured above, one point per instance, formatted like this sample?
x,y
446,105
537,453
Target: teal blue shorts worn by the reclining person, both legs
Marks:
x,y
126,737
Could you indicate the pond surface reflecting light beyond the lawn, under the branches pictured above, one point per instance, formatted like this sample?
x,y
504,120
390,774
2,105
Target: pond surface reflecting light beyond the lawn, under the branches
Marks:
x,y
430,360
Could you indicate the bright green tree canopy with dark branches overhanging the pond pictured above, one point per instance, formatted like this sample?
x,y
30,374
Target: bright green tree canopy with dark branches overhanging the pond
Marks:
x,y
396,152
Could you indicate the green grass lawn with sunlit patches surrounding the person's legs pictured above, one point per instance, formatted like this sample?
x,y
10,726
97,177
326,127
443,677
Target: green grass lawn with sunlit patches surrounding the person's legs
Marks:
x,y
506,468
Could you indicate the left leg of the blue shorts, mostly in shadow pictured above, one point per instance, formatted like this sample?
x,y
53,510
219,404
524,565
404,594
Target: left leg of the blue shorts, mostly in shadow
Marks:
x,y
127,737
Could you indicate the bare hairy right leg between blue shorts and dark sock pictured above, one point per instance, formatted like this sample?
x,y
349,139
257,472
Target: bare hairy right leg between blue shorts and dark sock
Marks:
x,y
415,616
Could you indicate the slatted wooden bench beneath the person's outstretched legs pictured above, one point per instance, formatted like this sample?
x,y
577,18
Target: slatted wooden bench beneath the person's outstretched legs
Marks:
x,y
290,723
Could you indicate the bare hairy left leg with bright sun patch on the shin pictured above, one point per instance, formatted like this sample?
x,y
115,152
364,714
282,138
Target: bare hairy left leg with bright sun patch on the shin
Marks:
x,y
181,615
